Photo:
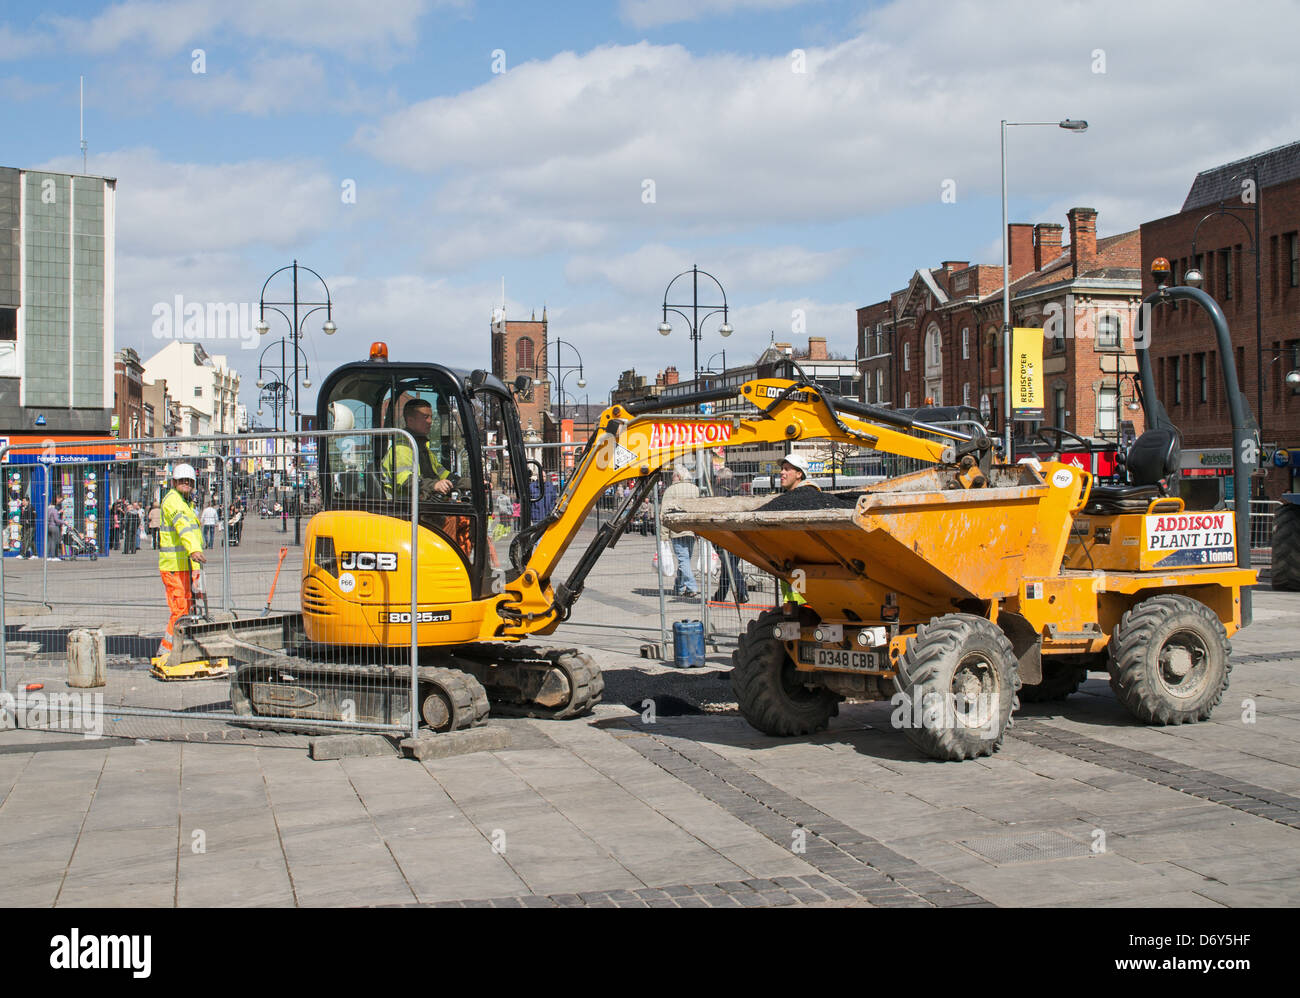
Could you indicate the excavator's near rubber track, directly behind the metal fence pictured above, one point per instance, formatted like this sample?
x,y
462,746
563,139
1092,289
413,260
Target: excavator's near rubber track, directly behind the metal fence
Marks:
x,y
294,688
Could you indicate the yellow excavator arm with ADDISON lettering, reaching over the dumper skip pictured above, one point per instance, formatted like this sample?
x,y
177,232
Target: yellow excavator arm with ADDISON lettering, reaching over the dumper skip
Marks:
x,y
638,440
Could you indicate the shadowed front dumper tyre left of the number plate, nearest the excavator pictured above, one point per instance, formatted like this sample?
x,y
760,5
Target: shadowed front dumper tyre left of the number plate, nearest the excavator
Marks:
x,y
773,696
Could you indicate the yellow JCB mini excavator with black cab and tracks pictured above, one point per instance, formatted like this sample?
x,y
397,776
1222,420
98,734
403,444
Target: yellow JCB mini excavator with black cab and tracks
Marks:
x,y
484,572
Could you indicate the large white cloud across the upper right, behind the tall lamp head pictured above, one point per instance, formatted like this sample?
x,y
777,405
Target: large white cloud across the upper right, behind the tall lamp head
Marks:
x,y
877,124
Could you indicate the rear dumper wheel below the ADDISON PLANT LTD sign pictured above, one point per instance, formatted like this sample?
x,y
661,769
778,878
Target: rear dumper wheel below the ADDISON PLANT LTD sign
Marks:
x,y
1171,661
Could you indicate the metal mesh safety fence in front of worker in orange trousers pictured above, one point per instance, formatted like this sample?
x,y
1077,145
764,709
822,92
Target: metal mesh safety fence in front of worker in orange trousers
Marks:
x,y
90,593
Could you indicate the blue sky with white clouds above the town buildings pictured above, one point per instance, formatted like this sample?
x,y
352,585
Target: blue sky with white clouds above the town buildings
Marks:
x,y
422,154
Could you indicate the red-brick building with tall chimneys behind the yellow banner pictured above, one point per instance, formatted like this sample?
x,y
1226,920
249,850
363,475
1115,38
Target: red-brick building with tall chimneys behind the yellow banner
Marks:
x,y
939,340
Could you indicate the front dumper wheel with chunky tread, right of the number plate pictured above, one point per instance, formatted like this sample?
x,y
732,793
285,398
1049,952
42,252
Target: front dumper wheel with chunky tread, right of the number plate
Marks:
x,y
950,665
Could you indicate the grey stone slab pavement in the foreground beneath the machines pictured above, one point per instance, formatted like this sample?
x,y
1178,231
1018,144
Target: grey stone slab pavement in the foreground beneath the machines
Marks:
x,y
1081,808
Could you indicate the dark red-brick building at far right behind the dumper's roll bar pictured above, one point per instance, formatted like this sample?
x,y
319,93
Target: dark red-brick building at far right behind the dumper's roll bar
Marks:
x,y
1185,354
